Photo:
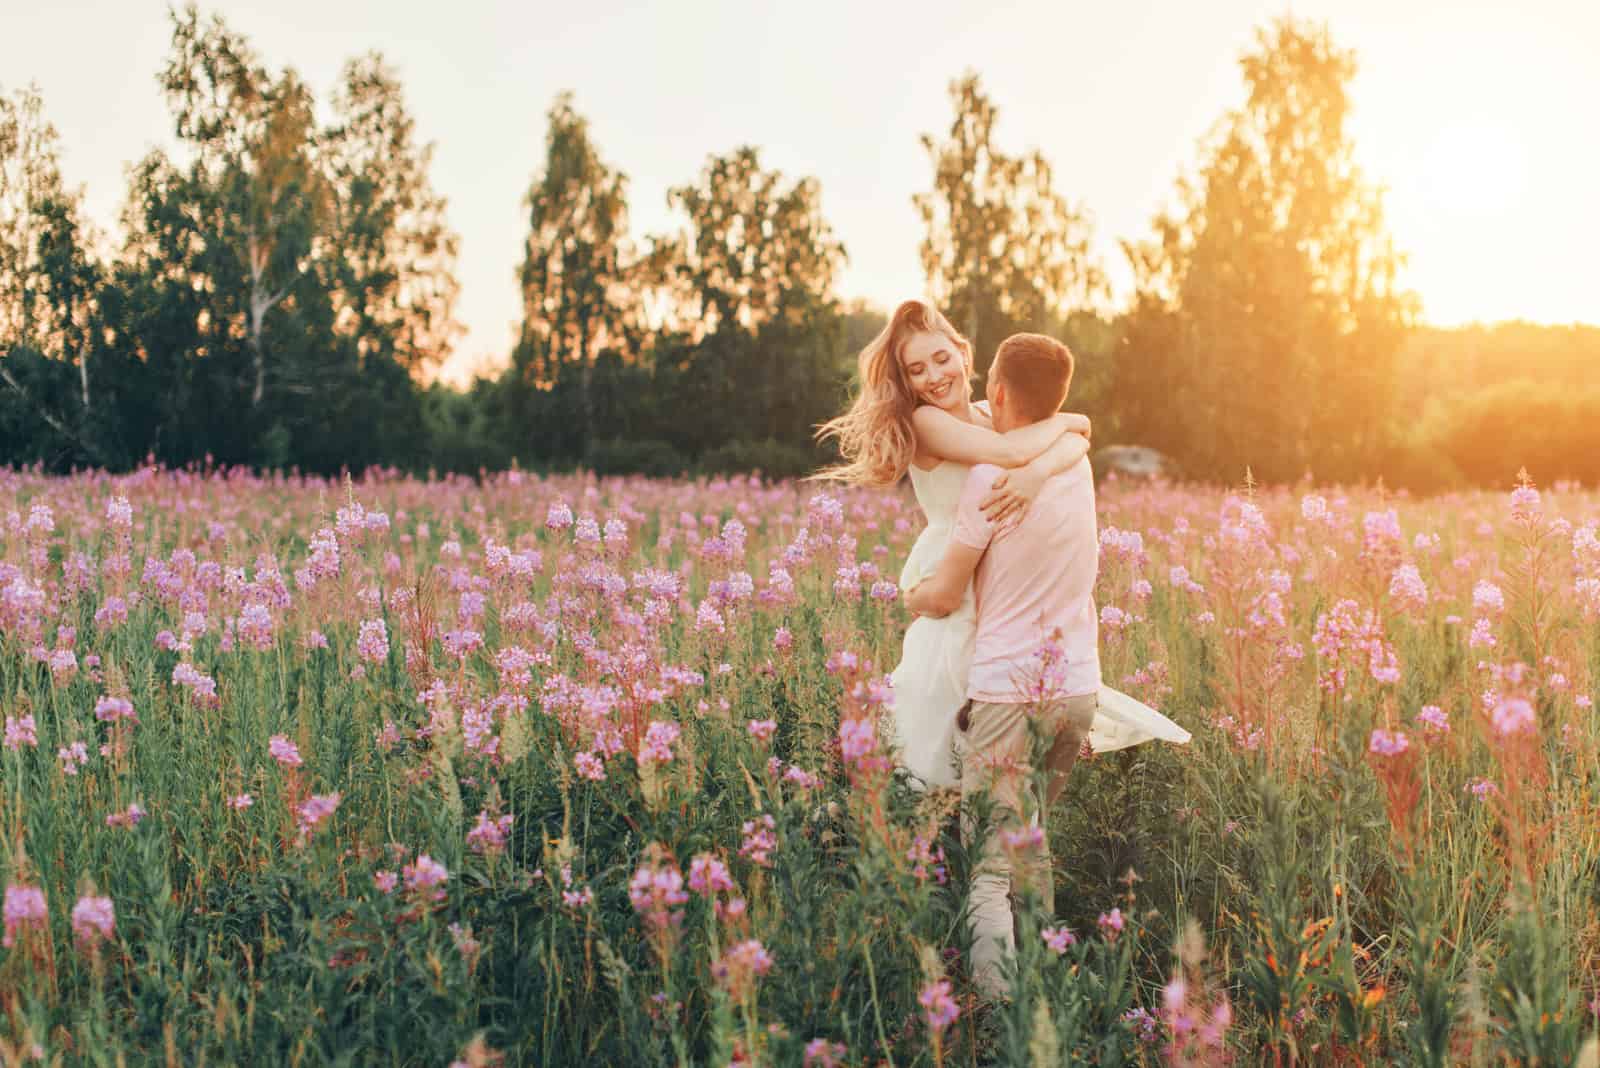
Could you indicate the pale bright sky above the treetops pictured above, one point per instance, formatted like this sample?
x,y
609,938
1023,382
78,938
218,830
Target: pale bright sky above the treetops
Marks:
x,y
1479,119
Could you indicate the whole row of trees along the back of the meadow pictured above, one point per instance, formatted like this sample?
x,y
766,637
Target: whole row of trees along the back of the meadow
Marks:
x,y
282,290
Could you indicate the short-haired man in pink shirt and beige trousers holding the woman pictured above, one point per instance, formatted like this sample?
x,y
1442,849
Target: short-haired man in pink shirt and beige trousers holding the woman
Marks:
x,y
1034,583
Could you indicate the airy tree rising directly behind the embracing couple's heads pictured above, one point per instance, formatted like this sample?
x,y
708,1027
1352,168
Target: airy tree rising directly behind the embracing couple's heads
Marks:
x,y
1004,252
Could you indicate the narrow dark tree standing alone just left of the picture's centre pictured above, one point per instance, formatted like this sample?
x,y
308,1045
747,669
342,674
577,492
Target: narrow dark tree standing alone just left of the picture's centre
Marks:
x,y
577,271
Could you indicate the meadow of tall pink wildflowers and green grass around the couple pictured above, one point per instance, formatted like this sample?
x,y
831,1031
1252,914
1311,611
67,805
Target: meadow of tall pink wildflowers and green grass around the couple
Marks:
x,y
559,771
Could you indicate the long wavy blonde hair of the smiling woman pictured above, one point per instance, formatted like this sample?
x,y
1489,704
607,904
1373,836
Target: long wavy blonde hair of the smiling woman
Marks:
x,y
876,436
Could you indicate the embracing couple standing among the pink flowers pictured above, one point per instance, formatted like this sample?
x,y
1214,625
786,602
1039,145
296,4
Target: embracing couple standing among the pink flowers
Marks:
x,y
1006,565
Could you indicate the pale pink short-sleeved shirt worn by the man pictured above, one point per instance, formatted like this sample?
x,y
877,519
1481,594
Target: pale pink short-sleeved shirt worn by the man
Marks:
x,y
1033,580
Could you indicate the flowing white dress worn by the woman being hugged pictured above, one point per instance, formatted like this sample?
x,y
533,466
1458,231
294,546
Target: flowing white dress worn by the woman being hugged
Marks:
x,y
930,683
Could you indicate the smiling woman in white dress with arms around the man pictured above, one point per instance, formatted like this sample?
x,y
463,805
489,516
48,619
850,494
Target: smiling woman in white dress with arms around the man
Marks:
x,y
916,415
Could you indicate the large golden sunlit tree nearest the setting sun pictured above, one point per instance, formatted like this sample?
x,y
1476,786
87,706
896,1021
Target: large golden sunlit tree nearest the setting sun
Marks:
x,y
1268,317
